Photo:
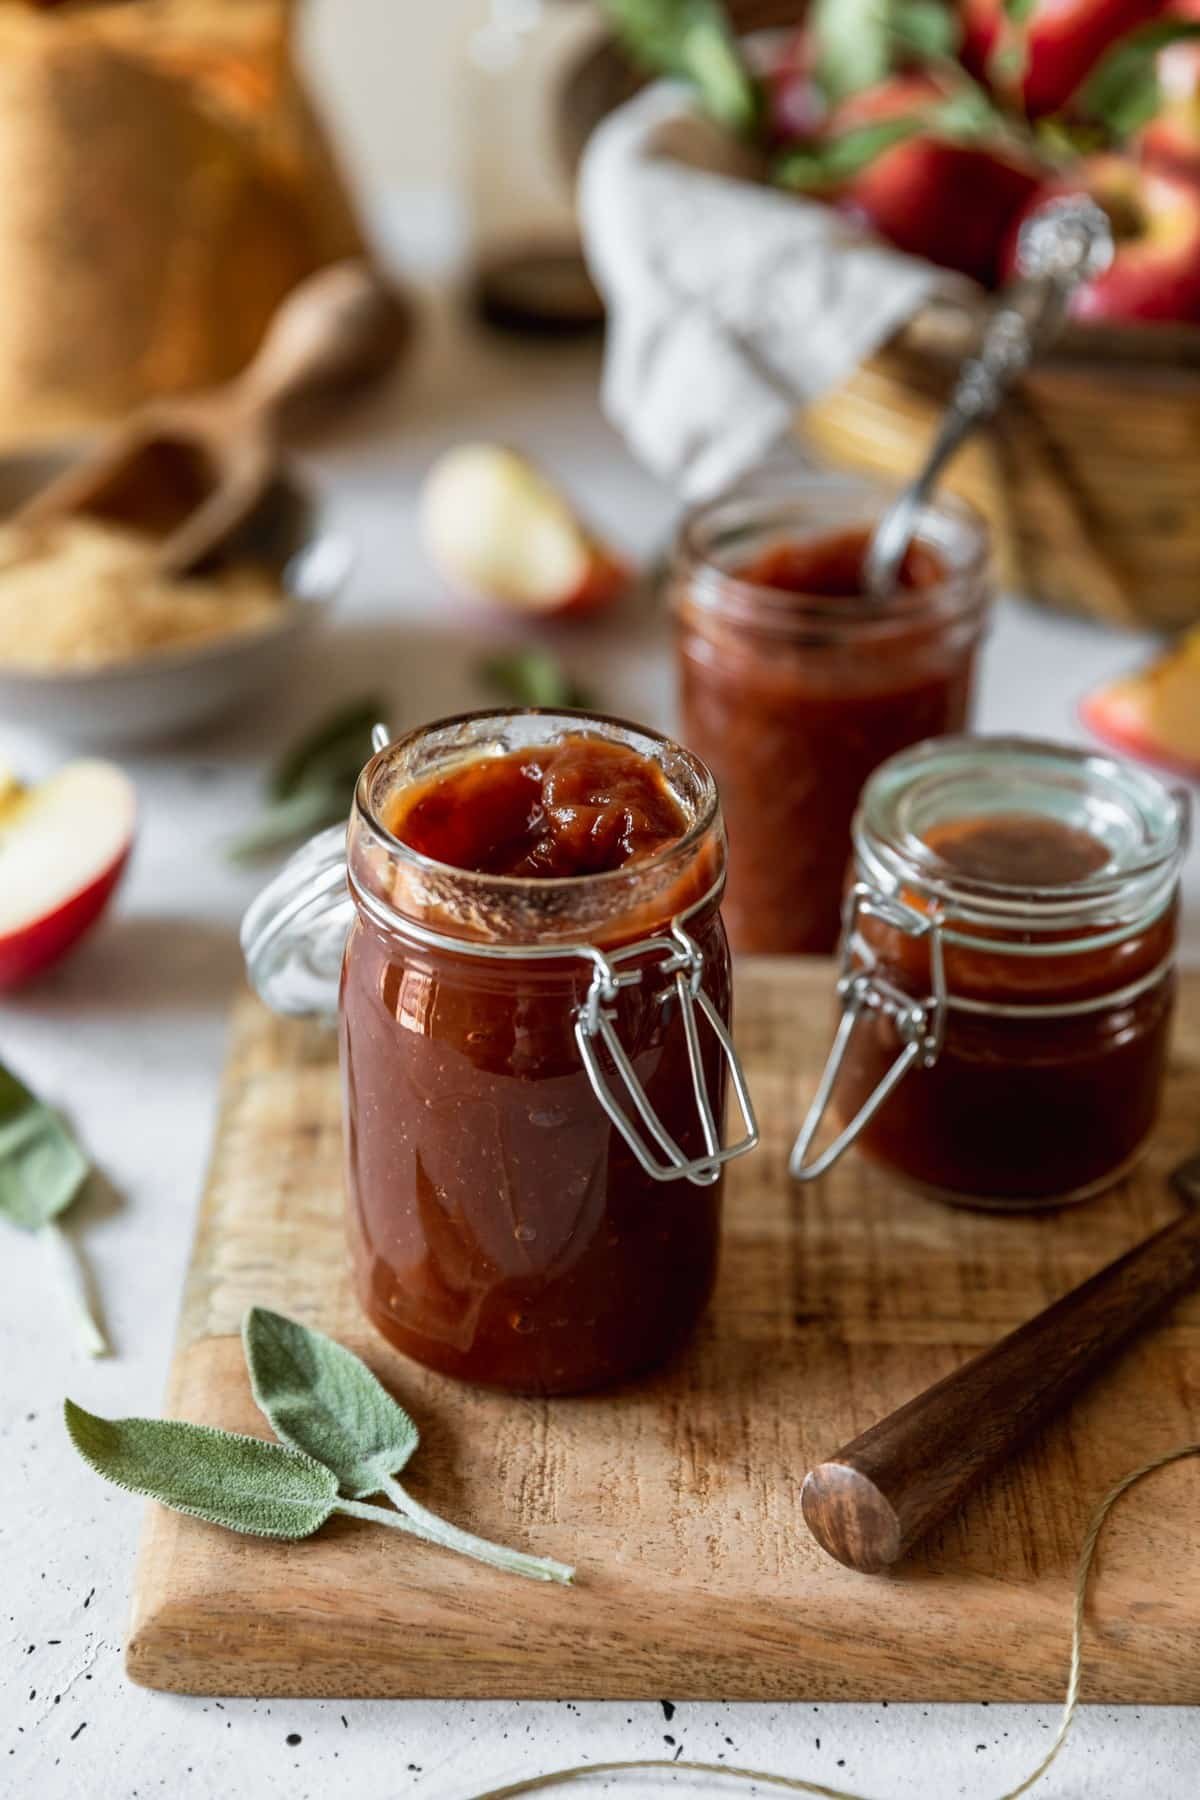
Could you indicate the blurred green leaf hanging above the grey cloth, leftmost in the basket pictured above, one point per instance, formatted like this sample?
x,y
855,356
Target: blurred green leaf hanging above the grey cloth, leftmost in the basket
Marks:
x,y
694,40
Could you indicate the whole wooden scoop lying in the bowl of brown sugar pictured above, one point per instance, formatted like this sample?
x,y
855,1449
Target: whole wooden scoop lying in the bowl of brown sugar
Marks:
x,y
193,471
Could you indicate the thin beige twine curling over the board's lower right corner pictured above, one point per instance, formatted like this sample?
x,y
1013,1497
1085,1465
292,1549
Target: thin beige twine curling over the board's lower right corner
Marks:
x,y
798,1785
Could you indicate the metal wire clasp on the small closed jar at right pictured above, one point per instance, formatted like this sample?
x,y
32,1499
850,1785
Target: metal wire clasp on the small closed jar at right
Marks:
x,y
920,1023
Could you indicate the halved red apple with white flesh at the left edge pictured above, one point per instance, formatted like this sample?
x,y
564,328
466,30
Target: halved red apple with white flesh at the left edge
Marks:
x,y
62,850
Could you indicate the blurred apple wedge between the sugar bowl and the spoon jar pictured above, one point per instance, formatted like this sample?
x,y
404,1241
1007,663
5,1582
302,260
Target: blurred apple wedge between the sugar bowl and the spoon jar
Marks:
x,y
499,530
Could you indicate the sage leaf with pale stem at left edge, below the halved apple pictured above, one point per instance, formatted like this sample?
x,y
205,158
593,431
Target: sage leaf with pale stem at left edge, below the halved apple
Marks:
x,y
42,1173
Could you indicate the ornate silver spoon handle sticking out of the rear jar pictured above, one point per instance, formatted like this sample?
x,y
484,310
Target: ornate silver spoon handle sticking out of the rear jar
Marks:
x,y
1061,246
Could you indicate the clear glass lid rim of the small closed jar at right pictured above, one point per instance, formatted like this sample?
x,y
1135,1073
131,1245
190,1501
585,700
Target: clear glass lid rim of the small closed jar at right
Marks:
x,y
1129,888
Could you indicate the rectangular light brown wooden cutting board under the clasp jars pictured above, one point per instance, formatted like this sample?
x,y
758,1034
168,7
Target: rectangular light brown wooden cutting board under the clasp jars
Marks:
x,y
679,1498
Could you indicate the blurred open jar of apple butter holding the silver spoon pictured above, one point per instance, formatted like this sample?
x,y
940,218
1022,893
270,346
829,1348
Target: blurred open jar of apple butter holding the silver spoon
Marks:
x,y
794,687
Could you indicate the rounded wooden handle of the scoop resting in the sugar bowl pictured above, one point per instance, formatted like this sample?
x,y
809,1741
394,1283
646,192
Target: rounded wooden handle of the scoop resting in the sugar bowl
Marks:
x,y
337,330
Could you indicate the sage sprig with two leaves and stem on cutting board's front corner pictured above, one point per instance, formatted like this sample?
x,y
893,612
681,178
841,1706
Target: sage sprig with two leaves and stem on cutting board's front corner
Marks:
x,y
343,1435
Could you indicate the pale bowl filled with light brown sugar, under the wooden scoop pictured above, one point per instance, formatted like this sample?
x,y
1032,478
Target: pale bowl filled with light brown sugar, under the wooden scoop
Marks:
x,y
100,647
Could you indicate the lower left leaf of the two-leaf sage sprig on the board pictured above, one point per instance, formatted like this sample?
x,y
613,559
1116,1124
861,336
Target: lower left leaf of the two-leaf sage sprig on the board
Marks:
x,y
244,1484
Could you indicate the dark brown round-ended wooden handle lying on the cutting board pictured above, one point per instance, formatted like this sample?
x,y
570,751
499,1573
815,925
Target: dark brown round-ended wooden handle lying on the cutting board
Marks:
x,y
877,1497
